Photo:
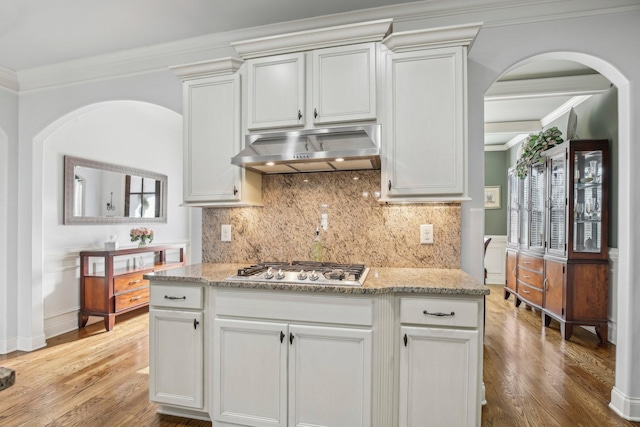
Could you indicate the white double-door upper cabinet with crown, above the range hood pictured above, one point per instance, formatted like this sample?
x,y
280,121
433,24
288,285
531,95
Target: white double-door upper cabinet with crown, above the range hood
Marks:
x,y
312,78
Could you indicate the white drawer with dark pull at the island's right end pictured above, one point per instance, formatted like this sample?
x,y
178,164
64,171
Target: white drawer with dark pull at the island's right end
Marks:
x,y
435,311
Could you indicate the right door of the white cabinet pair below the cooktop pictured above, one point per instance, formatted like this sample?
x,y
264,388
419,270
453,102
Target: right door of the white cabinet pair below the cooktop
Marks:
x,y
330,377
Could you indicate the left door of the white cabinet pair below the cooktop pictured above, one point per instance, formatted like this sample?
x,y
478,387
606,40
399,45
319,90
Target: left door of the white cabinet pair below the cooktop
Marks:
x,y
250,373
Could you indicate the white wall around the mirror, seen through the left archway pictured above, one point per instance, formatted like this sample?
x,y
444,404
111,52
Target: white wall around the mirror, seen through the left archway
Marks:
x,y
127,133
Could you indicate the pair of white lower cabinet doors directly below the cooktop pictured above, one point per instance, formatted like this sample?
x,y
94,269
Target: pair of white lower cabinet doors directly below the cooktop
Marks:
x,y
279,374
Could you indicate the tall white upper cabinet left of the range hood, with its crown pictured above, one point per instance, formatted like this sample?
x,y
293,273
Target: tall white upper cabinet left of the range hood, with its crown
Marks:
x,y
212,135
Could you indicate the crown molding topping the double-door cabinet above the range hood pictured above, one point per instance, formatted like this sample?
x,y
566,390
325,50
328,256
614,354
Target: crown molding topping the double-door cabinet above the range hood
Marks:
x,y
361,32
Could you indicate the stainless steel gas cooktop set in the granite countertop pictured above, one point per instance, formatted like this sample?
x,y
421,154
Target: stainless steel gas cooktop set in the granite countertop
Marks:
x,y
306,272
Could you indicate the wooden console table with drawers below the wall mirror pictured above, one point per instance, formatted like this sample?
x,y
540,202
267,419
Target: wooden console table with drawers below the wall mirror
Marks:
x,y
118,289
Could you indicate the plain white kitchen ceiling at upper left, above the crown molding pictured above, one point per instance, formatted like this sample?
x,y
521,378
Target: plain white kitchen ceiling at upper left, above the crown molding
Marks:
x,y
35,33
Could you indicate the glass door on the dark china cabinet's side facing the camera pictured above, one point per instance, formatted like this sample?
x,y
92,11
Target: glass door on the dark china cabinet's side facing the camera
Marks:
x,y
587,203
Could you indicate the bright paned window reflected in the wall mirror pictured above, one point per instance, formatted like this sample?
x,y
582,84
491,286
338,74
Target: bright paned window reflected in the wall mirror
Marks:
x,y
142,197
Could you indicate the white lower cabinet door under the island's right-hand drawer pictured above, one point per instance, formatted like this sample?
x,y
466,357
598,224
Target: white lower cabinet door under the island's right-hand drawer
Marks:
x,y
438,383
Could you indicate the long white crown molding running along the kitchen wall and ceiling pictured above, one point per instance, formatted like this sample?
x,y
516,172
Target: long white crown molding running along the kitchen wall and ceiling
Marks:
x,y
423,14
